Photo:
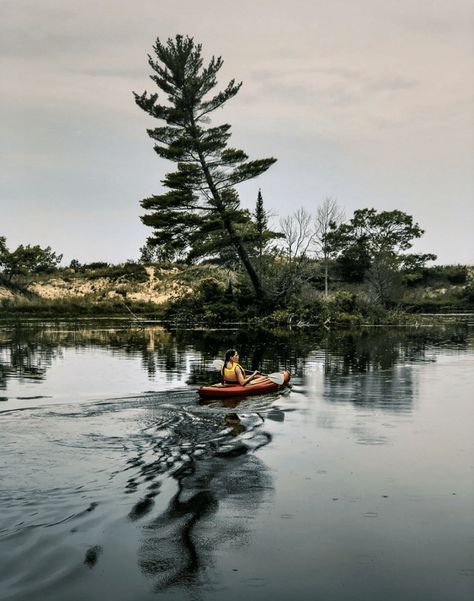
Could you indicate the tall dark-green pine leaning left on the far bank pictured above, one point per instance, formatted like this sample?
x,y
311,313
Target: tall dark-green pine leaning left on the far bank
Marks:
x,y
207,169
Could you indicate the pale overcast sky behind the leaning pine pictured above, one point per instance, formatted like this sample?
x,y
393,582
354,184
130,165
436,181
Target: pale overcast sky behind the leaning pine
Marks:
x,y
365,101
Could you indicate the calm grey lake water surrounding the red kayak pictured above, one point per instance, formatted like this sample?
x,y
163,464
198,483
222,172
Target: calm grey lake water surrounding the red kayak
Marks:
x,y
115,483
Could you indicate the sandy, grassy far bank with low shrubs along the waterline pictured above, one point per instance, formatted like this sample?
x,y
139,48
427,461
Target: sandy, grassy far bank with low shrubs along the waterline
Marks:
x,y
208,294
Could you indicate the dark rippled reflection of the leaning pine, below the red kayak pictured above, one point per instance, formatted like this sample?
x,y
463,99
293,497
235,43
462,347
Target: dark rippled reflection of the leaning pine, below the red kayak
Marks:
x,y
216,478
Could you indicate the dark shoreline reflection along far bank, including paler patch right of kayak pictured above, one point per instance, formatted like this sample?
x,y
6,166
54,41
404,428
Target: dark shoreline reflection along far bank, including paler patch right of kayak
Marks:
x,y
29,349
